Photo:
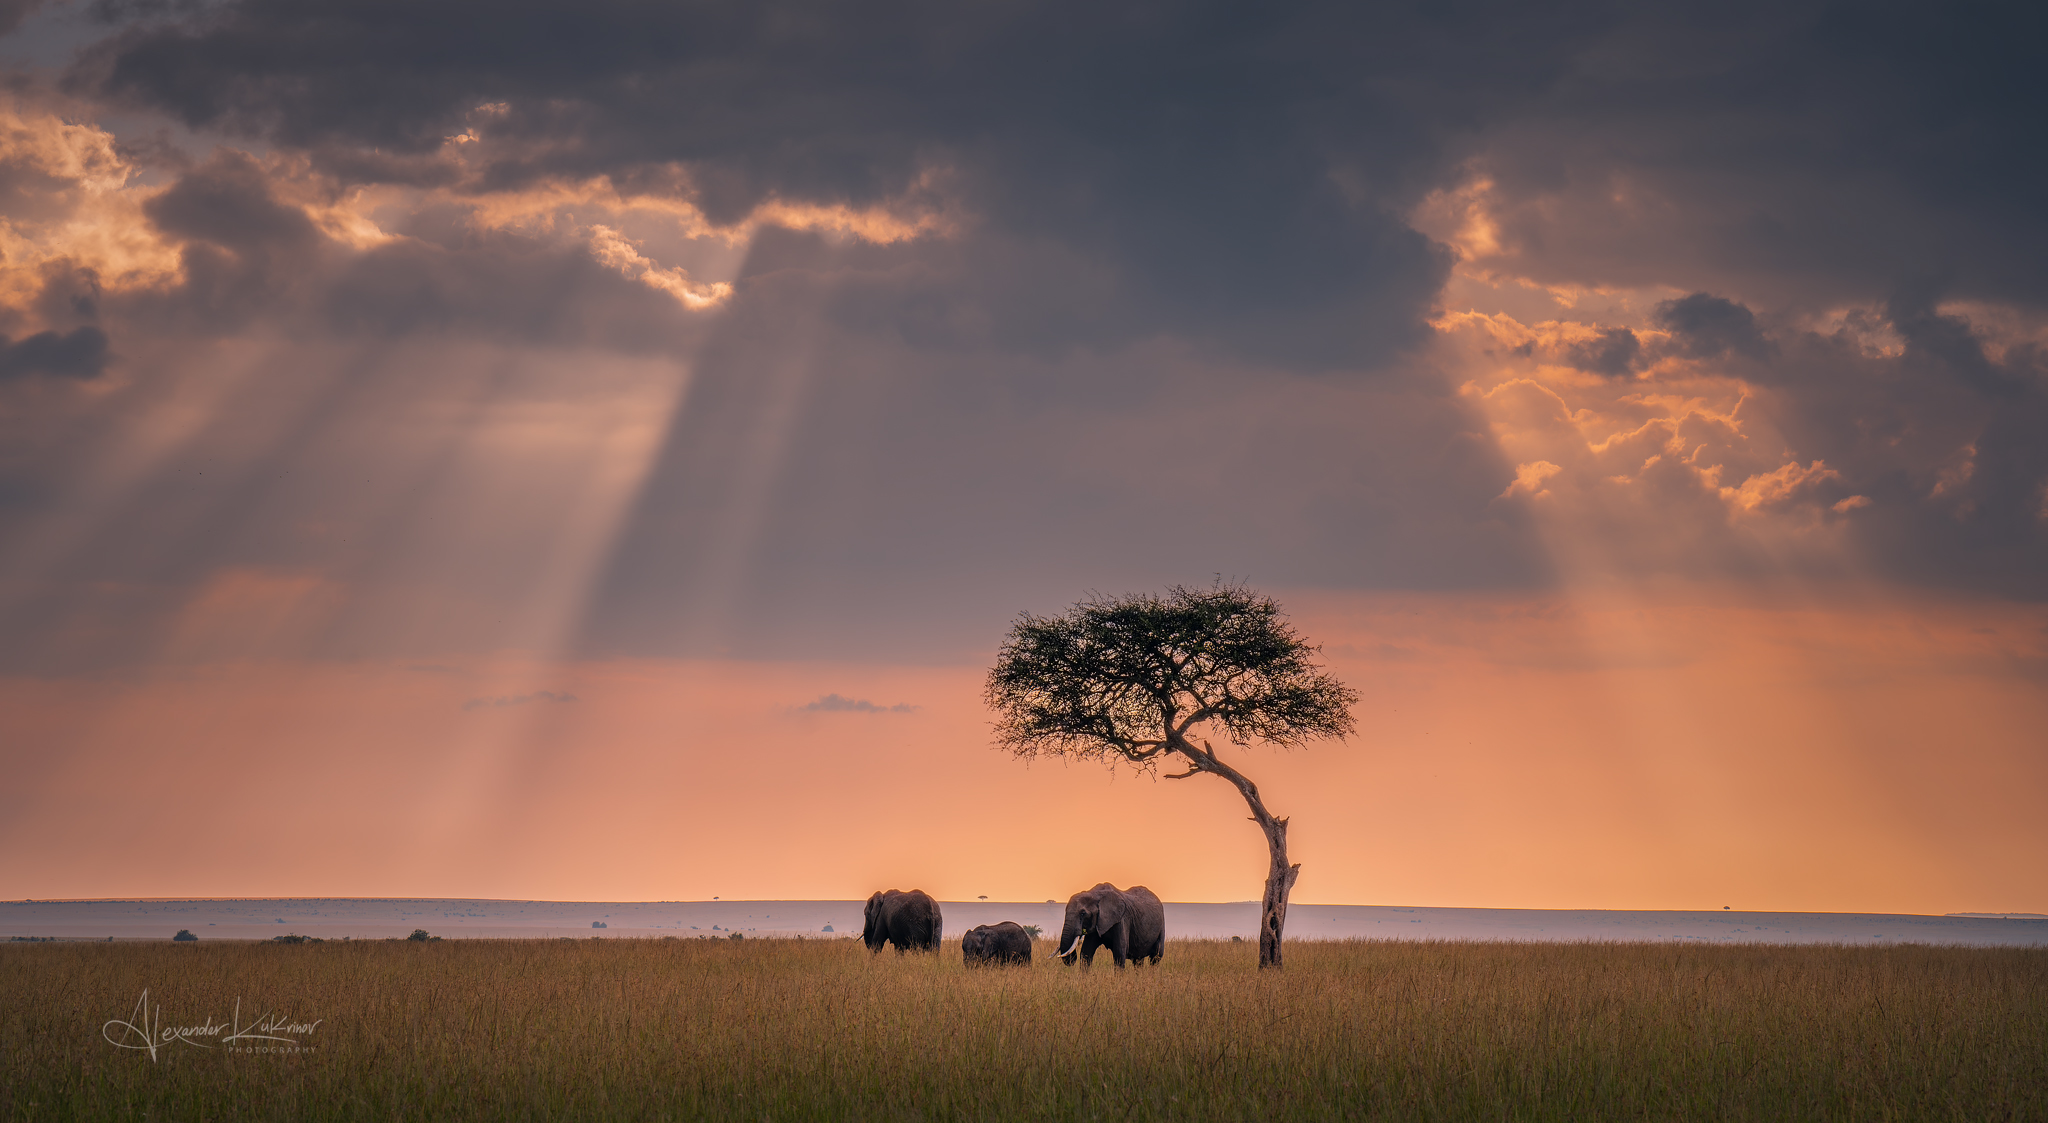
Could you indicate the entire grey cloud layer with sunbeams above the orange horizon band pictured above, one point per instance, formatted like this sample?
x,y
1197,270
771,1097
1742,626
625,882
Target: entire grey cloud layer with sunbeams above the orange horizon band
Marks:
x,y
740,335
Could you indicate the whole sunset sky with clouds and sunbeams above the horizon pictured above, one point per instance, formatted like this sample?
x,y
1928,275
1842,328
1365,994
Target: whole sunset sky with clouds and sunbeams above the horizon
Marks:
x,y
593,452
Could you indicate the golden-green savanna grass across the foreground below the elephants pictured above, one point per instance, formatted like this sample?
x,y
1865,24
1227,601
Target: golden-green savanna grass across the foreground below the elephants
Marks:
x,y
820,1030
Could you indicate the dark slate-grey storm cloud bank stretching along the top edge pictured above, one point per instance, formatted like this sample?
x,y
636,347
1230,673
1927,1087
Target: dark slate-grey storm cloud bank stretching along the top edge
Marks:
x,y
1226,171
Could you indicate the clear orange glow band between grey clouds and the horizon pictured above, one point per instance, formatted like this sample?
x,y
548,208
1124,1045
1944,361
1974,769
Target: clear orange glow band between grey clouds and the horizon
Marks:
x,y
1512,753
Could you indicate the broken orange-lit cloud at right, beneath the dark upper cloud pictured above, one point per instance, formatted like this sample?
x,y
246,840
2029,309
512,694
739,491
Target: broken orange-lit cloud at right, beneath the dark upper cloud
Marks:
x,y
1805,452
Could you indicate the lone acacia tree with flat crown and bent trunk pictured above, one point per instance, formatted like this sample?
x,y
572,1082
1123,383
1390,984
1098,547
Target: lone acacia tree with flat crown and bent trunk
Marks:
x,y
1138,679
